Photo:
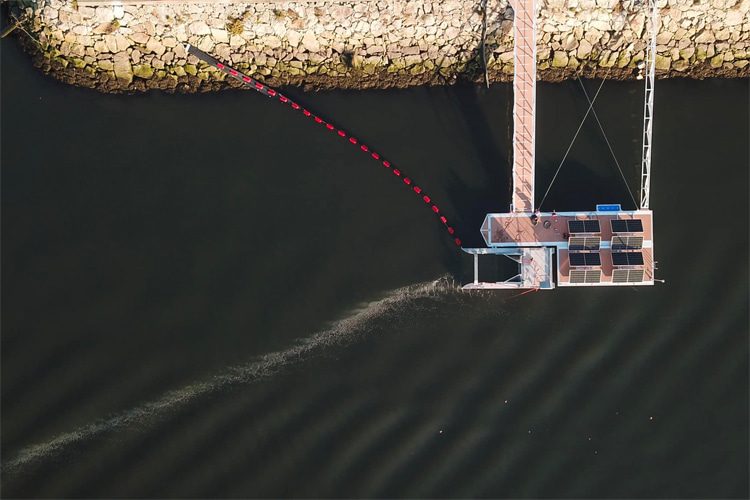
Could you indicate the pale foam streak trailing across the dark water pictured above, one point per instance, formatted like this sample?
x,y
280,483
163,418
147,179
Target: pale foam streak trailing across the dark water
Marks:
x,y
342,332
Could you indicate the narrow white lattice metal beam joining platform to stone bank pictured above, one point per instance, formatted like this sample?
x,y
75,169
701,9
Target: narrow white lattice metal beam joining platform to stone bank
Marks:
x,y
648,106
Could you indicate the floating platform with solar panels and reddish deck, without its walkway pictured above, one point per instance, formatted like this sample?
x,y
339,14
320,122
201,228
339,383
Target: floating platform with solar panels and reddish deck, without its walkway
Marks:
x,y
598,248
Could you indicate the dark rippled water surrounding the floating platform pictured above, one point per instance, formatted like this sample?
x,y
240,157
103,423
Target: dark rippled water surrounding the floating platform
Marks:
x,y
209,296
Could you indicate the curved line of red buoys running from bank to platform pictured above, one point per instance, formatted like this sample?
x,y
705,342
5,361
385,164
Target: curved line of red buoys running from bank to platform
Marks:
x,y
268,91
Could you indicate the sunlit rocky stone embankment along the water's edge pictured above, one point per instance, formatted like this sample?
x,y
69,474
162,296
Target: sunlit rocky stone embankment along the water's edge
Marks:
x,y
375,43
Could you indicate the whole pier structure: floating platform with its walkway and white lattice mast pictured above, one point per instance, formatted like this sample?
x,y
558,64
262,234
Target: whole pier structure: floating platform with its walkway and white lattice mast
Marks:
x,y
606,246
